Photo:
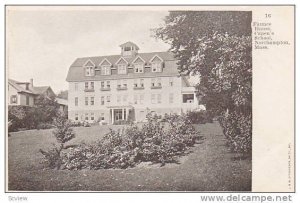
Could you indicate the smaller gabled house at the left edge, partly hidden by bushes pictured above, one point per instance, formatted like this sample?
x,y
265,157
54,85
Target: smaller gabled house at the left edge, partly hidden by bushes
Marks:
x,y
24,93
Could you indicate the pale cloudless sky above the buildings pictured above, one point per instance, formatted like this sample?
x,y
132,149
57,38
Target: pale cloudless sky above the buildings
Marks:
x,y
42,43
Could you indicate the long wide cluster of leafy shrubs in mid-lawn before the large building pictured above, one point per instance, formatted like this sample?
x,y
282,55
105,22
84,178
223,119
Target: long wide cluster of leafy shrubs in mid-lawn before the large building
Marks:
x,y
154,142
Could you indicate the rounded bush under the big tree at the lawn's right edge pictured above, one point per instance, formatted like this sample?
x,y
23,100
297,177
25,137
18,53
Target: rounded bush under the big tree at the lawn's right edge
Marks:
x,y
237,127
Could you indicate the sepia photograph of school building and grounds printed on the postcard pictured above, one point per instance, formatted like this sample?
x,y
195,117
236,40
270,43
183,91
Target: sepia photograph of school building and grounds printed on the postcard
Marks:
x,y
125,99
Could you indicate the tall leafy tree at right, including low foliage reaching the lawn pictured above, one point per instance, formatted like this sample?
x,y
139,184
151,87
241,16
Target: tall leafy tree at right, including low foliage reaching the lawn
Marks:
x,y
217,47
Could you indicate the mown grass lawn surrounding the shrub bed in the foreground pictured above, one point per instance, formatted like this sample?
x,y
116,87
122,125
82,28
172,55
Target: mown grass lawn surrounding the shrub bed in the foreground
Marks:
x,y
209,167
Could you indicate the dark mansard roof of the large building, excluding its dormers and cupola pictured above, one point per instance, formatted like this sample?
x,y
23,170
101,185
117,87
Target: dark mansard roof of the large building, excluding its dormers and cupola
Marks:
x,y
76,70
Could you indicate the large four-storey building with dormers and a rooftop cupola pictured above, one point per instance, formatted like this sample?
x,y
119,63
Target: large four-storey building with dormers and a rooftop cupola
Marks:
x,y
127,86
